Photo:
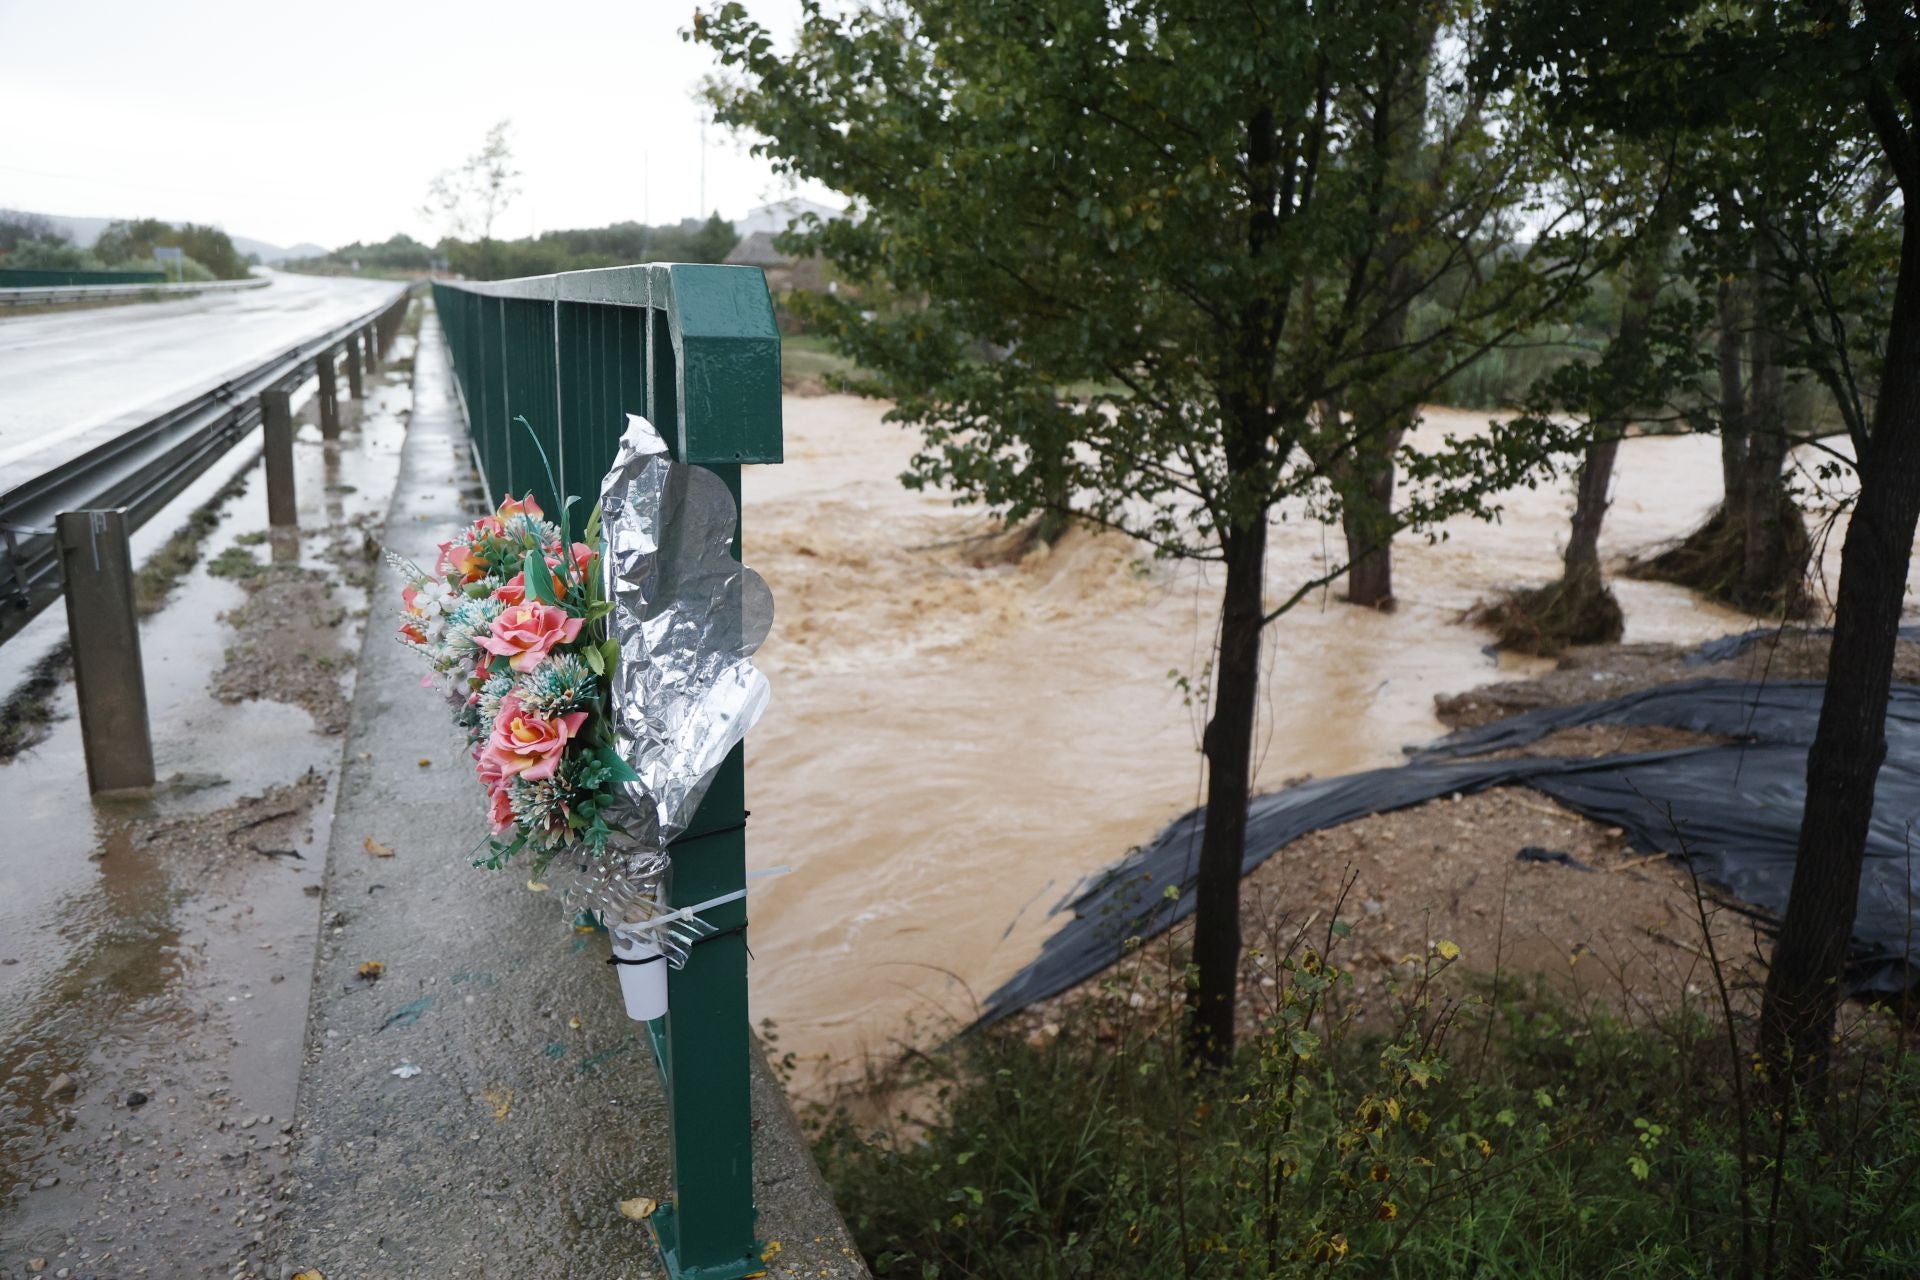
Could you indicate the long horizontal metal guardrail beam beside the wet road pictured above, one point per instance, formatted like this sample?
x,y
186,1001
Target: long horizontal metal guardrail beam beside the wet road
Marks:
x,y
143,469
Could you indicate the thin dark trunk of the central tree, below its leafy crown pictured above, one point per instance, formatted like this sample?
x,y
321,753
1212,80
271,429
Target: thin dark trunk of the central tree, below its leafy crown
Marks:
x,y
1230,778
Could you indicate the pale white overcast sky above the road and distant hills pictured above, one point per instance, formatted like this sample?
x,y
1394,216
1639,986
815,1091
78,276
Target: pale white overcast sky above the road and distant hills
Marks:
x,y
325,122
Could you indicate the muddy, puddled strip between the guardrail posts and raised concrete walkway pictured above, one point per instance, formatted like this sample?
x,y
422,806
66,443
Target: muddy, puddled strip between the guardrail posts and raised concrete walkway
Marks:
x,y
156,953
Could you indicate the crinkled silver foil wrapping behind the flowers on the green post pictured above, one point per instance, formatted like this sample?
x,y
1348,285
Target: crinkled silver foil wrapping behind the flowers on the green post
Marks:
x,y
688,619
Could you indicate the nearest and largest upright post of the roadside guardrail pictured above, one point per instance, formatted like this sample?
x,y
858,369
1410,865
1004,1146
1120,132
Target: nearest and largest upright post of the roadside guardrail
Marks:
x,y
107,650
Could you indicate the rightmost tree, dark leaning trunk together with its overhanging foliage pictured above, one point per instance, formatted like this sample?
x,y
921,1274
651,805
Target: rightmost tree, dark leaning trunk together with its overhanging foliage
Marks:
x,y
1813,76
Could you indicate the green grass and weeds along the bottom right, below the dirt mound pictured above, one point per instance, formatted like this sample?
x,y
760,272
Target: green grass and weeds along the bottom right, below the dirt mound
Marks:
x,y
1472,1139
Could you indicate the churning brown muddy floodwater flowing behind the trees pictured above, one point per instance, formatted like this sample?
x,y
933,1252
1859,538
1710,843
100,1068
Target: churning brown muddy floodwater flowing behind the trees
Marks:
x,y
955,740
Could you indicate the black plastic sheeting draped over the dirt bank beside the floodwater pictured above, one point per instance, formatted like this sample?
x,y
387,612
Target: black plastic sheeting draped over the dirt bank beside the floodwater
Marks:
x,y
1731,809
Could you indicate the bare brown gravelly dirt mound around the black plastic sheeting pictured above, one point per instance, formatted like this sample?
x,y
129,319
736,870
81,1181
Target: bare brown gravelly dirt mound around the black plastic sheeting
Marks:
x,y
1527,891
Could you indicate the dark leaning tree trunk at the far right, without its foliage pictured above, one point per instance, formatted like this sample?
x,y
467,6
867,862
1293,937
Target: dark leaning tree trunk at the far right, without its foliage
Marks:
x,y
1850,744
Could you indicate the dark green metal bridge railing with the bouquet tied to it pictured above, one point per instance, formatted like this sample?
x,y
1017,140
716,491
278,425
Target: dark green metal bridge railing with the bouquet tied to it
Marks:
x,y
696,352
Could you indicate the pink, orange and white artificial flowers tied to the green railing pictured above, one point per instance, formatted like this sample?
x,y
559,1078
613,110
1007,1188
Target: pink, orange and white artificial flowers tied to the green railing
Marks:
x,y
514,617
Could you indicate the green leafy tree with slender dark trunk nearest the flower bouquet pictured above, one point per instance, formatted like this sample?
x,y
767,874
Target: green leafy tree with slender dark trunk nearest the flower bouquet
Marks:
x,y
1218,216
